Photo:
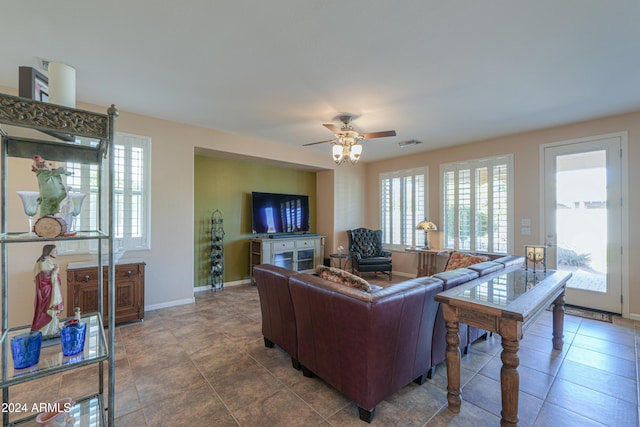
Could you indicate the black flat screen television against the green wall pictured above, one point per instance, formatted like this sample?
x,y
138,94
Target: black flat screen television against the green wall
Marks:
x,y
279,213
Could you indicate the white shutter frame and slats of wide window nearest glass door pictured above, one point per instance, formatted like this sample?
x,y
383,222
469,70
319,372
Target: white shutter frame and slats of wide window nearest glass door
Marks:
x,y
473,166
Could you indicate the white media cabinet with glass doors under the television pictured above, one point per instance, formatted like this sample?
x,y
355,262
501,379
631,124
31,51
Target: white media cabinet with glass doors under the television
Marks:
x,y
300,253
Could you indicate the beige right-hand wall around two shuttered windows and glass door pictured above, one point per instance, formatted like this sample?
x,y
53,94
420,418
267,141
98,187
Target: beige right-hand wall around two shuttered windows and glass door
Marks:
x,y
526,150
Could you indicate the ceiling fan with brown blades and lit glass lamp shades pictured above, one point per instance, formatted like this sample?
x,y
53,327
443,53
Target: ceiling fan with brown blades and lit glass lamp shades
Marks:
x,y
347,140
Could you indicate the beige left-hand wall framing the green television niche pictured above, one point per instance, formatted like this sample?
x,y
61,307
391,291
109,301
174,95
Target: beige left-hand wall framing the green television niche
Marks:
x,y
170,267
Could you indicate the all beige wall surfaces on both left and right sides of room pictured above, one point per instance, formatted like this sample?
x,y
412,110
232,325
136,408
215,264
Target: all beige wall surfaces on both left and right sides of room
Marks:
x,y
347,196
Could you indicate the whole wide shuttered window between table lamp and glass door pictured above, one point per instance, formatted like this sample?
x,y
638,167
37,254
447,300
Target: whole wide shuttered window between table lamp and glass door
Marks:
x,y
477,199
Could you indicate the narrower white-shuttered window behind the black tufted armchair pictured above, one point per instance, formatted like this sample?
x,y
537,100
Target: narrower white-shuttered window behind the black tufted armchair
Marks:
x,y
402,207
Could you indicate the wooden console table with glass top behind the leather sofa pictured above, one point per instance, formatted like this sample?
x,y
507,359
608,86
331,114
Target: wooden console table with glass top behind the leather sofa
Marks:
x,y
504,303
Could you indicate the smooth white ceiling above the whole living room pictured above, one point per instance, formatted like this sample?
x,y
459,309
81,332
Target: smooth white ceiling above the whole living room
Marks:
x,y
442,72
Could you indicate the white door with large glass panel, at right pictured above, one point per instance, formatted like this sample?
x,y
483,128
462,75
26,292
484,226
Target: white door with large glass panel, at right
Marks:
x,y
583,220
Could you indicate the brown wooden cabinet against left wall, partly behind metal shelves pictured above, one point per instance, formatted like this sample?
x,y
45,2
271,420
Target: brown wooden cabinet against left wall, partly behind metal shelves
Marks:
x,y
82,289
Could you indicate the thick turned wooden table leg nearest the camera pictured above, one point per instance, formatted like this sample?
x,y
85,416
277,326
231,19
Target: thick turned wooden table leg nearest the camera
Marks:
x,y
509,382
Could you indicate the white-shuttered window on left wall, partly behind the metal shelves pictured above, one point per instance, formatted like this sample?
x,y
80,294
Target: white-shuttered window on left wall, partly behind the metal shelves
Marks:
x,y
131,154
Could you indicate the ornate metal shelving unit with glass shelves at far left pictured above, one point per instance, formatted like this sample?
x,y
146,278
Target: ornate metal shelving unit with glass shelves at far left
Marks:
x,y
54,120
